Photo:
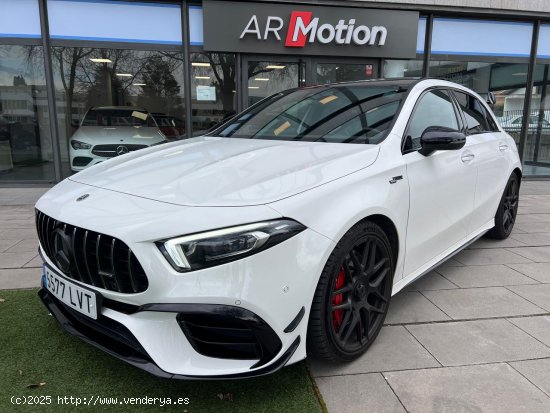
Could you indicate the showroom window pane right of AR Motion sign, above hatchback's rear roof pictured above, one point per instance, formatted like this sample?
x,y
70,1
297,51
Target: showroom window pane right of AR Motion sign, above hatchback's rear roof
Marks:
x,y
486,56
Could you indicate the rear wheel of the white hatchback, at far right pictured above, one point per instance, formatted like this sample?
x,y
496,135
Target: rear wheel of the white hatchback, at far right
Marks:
x,y
505,217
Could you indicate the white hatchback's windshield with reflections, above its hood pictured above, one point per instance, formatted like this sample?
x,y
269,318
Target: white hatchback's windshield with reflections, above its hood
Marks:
x,y
337,114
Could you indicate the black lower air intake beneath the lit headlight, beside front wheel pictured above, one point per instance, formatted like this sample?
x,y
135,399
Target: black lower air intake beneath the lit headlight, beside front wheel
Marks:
x,y
229,332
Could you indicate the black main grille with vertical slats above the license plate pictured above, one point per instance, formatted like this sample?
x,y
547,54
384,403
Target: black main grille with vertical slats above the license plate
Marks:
x,y
93,258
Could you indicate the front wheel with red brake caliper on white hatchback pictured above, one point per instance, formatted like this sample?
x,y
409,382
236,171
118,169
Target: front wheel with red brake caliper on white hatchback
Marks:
x,y
353,295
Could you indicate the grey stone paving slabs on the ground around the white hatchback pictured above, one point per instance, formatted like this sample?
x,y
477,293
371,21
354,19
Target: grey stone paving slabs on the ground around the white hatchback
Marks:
x,y
471,336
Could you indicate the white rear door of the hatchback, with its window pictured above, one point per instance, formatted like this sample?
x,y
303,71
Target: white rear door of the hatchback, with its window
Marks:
x,y
490,147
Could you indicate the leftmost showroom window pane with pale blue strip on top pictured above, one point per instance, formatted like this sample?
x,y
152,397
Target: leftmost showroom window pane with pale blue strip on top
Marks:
x,y
25,139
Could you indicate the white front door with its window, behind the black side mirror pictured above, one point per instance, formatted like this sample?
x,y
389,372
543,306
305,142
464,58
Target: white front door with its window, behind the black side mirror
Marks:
x,y
442,185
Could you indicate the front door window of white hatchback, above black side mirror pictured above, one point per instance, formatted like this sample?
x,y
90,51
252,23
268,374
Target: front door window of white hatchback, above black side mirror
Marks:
x,y
435,109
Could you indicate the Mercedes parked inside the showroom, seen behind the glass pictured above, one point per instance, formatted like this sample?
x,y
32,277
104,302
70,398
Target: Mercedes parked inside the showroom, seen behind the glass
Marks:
x,y
109,131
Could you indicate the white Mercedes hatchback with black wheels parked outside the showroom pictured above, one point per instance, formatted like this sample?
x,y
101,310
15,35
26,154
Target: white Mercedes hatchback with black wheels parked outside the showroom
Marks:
x,y
282,233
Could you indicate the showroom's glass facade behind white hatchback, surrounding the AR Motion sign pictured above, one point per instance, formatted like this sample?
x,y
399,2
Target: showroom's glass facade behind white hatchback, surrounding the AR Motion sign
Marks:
x,y
177,90
